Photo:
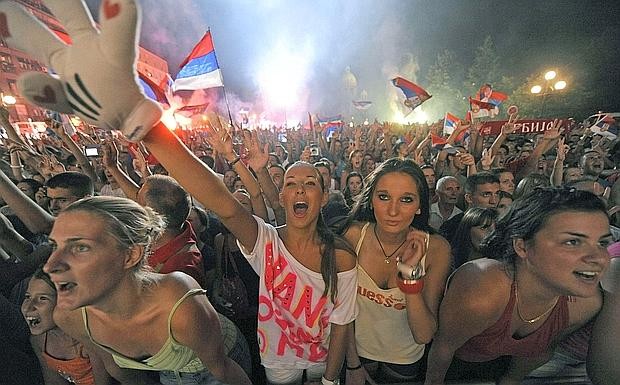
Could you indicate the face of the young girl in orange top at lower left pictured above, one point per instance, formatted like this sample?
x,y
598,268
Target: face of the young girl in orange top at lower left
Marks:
x,y
38,306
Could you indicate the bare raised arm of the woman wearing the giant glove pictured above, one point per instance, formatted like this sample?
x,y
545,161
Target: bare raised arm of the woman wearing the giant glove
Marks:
x,y
201,182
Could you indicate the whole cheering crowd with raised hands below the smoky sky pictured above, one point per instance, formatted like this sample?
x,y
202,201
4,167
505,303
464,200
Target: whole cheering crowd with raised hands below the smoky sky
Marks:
x,y
224,255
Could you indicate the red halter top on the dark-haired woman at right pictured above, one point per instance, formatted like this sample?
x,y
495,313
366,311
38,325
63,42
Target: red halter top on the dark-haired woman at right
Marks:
x,y
497,340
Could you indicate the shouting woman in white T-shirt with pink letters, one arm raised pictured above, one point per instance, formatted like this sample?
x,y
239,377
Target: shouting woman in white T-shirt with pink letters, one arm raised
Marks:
x,y
307,276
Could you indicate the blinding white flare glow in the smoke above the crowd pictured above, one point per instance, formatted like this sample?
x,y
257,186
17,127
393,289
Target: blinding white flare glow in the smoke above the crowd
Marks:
x,y
282,76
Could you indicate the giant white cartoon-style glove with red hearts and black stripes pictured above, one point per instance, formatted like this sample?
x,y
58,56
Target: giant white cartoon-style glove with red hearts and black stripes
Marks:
x,y
96,75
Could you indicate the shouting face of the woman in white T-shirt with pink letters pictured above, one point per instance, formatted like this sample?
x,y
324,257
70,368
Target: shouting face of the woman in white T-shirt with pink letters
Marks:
x,y
302,195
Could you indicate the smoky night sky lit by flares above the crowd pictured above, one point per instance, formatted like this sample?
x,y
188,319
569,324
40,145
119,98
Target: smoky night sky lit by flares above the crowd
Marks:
x,y
581,39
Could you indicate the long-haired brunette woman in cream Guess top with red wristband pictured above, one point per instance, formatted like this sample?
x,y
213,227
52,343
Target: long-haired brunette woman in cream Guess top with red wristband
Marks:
x,y
402,272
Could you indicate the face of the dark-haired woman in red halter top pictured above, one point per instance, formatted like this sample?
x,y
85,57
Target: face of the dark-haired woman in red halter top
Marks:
x,y
569,253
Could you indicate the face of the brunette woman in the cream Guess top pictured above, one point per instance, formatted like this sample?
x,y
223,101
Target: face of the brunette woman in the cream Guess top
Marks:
x,y
395,201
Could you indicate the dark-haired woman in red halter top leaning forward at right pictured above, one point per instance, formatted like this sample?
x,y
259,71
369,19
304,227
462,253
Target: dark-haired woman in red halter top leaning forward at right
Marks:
x,y
549,254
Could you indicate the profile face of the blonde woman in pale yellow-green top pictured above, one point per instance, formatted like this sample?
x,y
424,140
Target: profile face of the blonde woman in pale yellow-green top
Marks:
x,y
86,263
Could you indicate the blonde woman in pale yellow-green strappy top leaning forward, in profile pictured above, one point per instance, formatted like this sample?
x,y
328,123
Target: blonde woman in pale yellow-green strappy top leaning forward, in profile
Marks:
x,y
139,322
